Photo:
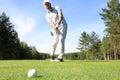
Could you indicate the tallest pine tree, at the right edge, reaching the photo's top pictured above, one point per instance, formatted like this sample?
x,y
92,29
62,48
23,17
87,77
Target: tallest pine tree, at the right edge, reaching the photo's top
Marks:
x,y
111,17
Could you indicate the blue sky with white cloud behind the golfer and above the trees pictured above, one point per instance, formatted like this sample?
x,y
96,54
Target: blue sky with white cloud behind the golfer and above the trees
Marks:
x,y
28,16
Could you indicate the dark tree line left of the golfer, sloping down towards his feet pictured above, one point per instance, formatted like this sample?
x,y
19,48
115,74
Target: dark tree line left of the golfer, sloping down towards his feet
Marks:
x,y
10,45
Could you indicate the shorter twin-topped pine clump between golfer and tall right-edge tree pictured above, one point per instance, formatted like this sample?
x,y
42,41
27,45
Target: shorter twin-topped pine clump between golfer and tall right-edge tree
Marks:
x,y
89,45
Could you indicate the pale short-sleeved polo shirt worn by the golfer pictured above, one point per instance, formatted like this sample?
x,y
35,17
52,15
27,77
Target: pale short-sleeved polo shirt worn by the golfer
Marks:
x,y
53,16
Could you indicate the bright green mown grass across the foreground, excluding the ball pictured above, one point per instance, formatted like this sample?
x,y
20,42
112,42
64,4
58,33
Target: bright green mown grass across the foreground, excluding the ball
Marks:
x,y
68,70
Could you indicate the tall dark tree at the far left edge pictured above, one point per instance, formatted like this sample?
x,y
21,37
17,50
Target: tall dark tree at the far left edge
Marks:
x,y
9,40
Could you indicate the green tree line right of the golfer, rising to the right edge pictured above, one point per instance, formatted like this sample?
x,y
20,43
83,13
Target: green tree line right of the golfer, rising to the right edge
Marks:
x,y
90,46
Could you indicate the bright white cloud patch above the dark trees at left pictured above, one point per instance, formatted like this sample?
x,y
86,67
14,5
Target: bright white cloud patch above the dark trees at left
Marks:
x,y
23,24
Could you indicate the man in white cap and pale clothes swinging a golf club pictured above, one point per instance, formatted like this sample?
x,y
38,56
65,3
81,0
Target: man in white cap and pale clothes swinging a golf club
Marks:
x,y
56,20
